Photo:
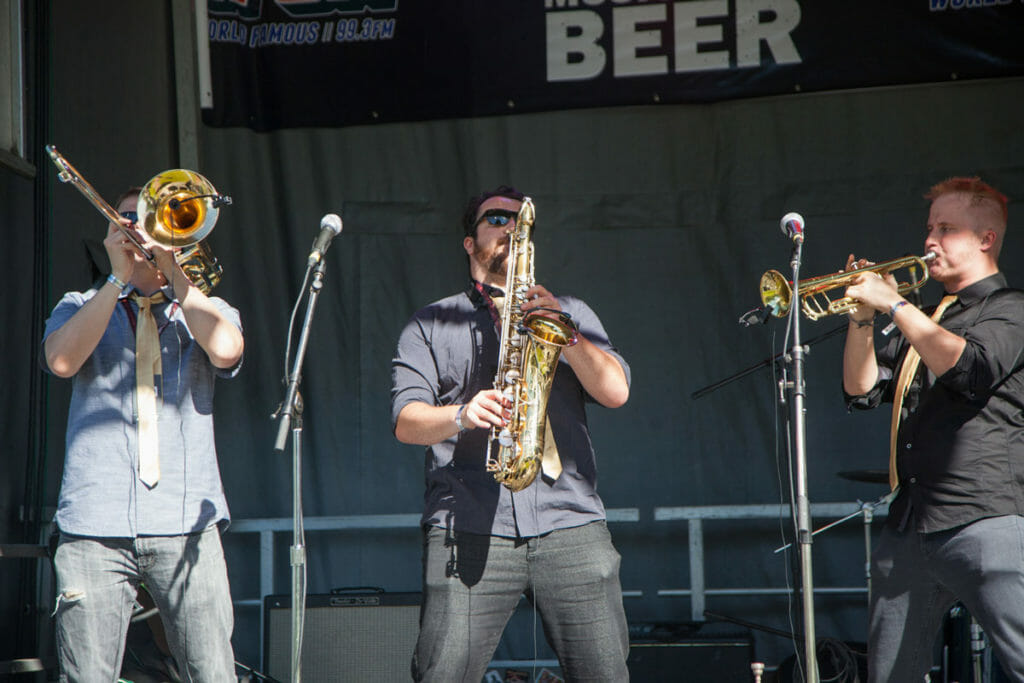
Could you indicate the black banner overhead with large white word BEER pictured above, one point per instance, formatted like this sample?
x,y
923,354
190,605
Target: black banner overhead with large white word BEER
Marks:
x,y
288,64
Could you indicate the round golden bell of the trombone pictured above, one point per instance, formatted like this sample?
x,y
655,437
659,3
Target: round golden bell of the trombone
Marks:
x,y
177,208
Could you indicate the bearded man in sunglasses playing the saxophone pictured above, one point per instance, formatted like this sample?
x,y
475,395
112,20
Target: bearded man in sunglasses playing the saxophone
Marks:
x,y
485,545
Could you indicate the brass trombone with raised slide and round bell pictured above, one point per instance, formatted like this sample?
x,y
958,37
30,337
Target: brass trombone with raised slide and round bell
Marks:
x,y
177,208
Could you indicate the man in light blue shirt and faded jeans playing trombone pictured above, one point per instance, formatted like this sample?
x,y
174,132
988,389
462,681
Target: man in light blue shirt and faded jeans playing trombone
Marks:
x,y
142,500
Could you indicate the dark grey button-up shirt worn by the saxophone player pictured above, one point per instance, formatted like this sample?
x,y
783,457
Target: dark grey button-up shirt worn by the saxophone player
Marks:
x,y
447,354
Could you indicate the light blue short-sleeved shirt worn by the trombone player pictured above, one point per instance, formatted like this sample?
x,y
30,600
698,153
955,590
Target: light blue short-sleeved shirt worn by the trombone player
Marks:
x,y
101,492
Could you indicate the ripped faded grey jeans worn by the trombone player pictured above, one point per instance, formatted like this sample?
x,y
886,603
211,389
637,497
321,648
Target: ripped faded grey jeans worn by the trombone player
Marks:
x,y
98,582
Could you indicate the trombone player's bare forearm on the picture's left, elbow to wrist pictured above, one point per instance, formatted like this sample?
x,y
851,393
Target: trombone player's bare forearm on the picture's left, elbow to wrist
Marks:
x,y
69,347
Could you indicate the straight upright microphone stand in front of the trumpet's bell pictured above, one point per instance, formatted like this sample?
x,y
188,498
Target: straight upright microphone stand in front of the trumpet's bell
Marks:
x,y
798,435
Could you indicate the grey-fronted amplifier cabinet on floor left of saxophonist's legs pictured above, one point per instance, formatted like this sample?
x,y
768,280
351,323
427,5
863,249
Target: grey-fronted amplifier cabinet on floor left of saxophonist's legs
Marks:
x,y
356,637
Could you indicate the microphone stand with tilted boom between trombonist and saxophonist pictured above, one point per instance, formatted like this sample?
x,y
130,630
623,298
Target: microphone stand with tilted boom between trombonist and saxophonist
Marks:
x,y
290,414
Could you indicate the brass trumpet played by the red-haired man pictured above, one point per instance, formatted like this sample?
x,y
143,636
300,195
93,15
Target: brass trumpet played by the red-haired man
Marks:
x,y
777,291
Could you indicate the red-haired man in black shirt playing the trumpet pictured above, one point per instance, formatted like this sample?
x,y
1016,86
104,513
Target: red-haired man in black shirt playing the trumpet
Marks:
x,y
956,377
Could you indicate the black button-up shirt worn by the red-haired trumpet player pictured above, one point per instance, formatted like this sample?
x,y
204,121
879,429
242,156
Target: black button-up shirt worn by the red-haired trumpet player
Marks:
x,y
961,442
